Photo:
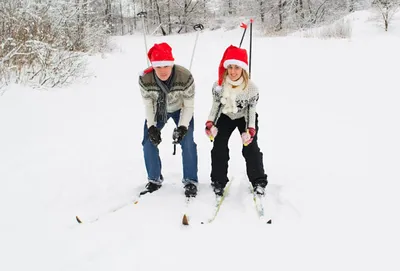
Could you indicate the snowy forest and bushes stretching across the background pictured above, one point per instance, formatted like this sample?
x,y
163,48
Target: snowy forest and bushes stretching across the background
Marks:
x,y
45,43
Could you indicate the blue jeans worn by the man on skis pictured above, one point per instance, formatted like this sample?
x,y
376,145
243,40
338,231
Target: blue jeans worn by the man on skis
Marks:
x,y
189,153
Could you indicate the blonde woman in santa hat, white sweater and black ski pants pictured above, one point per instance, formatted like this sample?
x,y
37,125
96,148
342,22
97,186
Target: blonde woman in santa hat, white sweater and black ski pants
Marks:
x,y
234,106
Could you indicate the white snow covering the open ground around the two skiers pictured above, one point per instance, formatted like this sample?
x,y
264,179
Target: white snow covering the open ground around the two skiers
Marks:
x,y
328,117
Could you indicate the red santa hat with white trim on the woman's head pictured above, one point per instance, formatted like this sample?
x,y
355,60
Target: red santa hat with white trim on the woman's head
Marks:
x,y
232,56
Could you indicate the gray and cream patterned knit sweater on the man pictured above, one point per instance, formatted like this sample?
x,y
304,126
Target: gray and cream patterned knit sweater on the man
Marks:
x,y
181,95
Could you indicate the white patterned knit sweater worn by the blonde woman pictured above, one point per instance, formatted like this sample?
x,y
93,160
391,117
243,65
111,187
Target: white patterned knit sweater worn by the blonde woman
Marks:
x,y
235,102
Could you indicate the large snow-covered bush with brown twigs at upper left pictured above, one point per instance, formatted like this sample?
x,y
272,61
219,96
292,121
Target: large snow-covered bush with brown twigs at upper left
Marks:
x,y
43,42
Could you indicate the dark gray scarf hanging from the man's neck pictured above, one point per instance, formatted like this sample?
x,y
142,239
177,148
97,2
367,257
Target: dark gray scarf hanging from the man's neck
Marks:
x,y
165,86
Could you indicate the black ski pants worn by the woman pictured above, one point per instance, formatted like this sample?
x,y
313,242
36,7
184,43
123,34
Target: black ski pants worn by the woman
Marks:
x,y
220,152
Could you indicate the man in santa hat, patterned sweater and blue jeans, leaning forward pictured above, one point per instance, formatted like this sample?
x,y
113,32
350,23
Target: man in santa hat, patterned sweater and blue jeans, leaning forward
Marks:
x,y
168,92
